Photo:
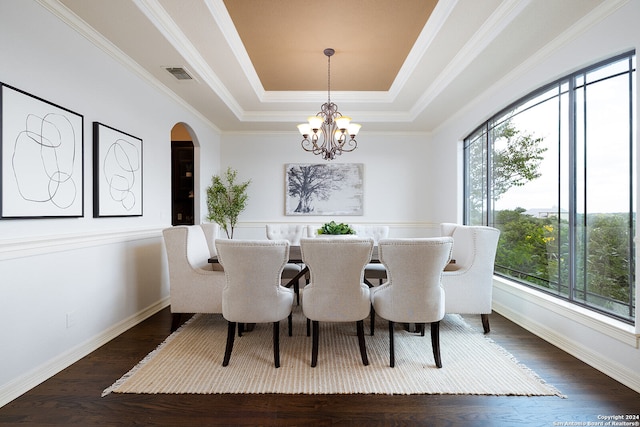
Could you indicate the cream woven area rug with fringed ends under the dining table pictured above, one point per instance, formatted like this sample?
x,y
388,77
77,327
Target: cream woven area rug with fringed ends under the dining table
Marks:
x,y
190,361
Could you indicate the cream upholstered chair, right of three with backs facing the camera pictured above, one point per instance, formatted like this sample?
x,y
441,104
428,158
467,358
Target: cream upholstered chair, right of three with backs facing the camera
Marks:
x,y
413,292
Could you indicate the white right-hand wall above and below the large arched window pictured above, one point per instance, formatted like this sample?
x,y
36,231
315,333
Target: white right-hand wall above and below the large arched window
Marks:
x,y
607,345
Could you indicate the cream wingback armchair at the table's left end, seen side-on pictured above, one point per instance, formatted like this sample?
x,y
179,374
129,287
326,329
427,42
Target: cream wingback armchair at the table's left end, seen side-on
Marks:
x,y
194,286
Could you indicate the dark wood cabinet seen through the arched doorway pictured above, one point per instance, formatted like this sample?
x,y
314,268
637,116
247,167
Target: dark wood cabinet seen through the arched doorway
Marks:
x,y
182,187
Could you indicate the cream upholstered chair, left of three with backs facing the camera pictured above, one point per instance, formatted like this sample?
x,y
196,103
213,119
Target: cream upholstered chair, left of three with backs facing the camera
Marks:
x,y
253,293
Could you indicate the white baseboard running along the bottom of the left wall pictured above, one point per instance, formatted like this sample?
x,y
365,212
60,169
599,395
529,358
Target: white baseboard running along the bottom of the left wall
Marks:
x,y
24,383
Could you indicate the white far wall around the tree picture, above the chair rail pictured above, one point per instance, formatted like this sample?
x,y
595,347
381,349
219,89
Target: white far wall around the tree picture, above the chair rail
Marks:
x,y
398,180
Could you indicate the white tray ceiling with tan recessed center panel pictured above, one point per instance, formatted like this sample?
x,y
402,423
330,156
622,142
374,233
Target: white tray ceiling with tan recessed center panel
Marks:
x,y
464,48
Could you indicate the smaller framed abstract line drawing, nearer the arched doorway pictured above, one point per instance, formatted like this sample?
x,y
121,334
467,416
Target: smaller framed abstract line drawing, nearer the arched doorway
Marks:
x,y
117,172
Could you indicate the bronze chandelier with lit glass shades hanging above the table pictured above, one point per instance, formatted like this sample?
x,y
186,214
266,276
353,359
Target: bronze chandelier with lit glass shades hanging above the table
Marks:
x,y
337,131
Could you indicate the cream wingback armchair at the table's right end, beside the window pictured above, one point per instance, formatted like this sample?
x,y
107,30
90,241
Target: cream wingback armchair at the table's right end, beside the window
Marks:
x,y
468,279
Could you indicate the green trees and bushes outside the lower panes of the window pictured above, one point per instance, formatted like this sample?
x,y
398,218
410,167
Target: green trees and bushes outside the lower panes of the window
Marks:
x,y
536,251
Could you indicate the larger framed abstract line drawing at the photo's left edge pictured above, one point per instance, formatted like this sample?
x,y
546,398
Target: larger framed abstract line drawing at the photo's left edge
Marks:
x,y
41,158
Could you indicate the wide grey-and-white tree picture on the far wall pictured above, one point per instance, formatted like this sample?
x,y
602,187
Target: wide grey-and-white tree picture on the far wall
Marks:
x,y
324,189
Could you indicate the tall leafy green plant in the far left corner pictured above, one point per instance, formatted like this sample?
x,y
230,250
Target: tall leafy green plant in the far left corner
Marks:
x,y
226,200
